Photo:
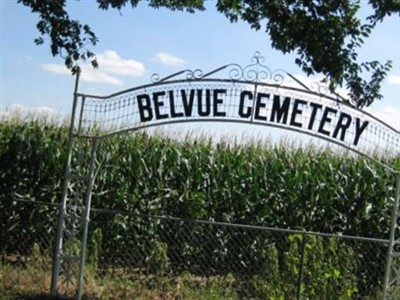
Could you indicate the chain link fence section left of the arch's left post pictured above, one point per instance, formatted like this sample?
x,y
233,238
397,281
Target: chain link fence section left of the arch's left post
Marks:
x,y
27,239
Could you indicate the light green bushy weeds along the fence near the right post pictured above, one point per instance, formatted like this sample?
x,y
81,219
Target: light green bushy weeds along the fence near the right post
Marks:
x,y
329,271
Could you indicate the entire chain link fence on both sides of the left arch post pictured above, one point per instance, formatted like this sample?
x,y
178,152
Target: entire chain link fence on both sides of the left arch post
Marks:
x,y
146,257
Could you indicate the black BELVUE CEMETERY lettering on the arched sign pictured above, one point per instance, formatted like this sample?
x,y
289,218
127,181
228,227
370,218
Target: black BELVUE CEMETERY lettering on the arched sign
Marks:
x,y
263,107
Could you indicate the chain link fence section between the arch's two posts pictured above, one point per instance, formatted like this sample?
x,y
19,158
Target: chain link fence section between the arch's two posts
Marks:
x,y
256,262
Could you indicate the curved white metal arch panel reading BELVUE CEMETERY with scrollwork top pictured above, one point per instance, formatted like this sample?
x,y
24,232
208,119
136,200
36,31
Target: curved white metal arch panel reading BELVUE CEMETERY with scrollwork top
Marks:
x,y
252,95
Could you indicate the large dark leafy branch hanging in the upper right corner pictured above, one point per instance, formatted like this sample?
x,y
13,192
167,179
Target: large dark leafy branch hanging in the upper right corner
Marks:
x,y
325,35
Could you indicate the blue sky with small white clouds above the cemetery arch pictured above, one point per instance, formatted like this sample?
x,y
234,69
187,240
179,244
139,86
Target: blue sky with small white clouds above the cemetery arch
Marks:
x,y
135,43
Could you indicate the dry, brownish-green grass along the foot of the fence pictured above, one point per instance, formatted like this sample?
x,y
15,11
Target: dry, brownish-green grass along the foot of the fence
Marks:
x,y
33,282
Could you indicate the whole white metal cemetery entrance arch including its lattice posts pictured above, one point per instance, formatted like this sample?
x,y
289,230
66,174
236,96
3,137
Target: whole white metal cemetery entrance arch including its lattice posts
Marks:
x,y
252,95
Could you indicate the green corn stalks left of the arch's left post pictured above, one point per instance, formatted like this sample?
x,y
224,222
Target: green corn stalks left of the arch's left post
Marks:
x,y
31,156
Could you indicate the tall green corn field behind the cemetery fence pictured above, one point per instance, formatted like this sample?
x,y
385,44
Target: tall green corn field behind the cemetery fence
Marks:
x,y
150,190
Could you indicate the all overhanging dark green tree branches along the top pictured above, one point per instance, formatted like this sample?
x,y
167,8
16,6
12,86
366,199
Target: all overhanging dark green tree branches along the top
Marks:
x,y
325,35
